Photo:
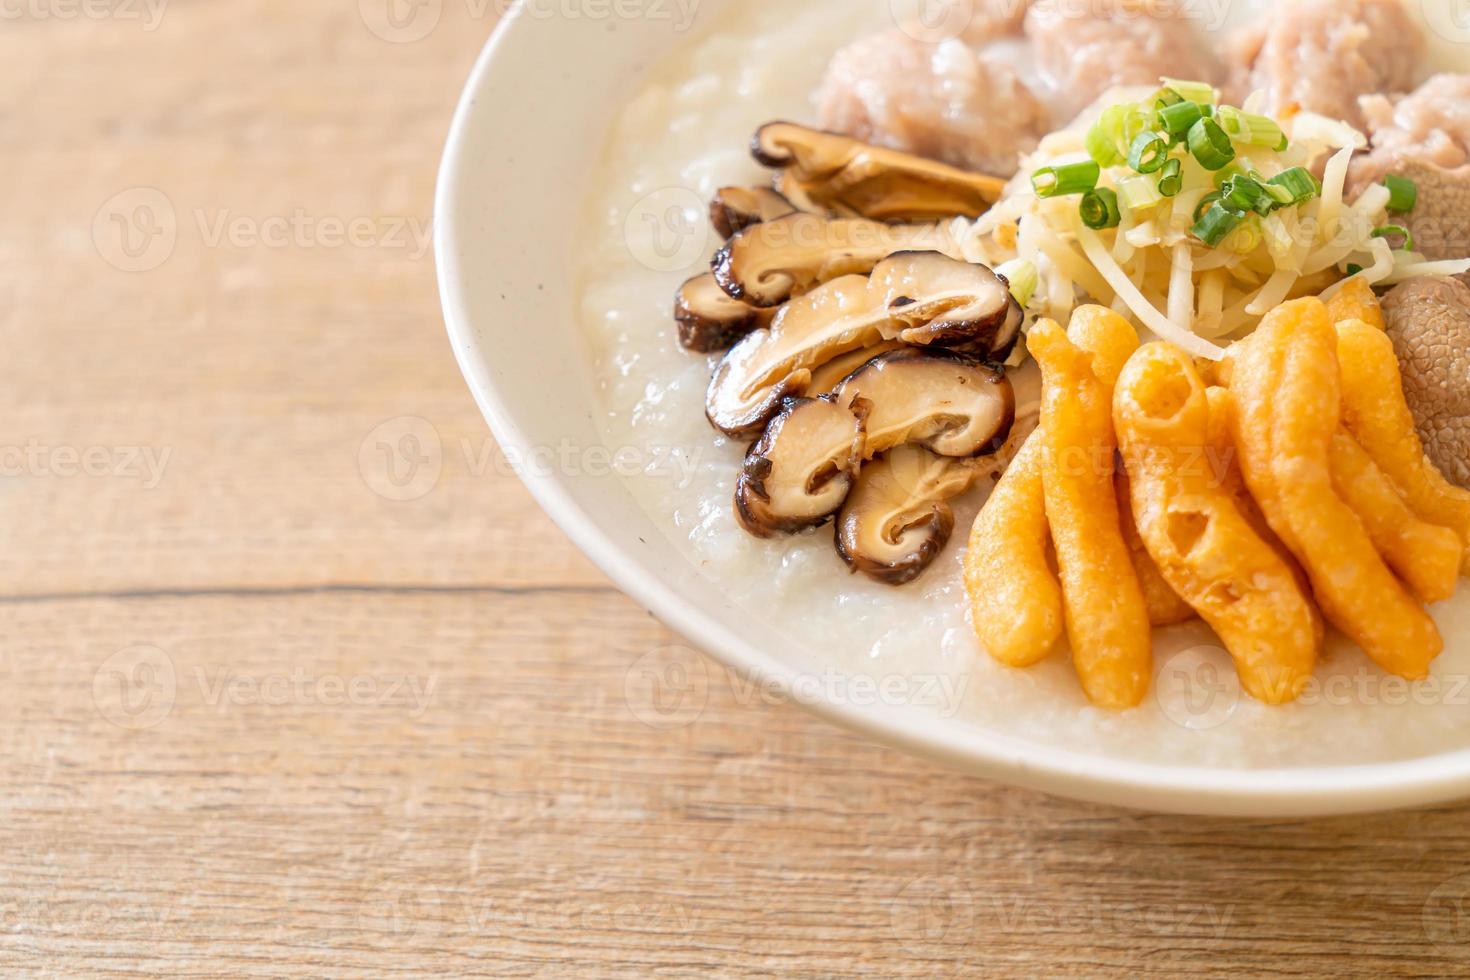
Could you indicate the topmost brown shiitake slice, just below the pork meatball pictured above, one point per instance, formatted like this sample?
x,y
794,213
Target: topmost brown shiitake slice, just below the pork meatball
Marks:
x,y
827,171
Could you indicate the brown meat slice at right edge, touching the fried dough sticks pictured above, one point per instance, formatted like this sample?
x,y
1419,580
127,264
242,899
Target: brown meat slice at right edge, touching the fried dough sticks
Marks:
x,y
1430,324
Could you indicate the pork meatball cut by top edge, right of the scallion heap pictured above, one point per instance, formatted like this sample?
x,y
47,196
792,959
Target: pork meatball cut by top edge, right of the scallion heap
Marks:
x,y
1324,55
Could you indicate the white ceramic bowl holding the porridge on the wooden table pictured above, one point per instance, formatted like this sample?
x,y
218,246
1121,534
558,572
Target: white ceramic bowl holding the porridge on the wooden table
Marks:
x,y
528,130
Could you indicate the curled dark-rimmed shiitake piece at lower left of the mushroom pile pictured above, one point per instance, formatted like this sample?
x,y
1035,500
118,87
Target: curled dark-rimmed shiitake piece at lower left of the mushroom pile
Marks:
x,y
802,469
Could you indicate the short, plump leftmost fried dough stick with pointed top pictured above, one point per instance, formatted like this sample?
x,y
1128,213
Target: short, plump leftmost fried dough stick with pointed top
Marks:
x,y
1015,597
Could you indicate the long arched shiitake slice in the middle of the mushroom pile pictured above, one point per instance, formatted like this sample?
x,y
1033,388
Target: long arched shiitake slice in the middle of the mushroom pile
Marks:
x,y
852,314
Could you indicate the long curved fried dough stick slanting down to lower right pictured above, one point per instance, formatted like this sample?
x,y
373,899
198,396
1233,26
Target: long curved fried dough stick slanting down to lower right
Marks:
x,y
1287,405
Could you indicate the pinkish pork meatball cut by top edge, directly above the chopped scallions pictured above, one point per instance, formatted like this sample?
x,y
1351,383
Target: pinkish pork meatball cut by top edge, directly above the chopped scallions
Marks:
x,y
1087,48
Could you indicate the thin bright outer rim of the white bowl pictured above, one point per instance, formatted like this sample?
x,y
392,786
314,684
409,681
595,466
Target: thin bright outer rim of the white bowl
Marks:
x,y
1193,790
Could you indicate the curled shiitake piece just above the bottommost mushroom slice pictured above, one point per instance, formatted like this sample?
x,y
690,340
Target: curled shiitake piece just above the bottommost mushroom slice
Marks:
x,y
947,403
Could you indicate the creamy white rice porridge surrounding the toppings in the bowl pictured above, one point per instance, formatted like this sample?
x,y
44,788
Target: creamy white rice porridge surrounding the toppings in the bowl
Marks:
x,y
684,136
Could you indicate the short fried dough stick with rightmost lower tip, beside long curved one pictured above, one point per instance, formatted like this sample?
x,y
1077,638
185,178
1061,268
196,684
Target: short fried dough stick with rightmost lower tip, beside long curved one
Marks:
x,y
1425,556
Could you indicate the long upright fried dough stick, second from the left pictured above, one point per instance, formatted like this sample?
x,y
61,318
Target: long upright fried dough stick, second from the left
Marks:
x,y
1103,605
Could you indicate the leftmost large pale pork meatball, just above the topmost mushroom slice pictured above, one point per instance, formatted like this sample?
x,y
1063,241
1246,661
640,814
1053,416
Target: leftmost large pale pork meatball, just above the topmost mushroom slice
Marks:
x,y
946,102
